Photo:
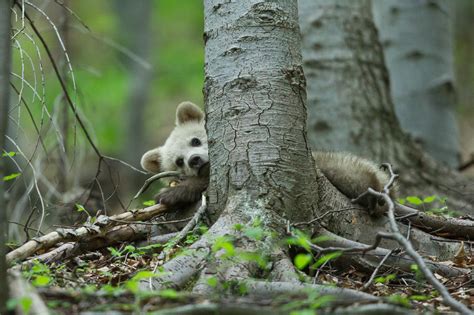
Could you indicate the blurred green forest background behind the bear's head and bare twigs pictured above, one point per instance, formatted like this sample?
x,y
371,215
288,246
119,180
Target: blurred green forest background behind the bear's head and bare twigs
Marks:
x,y
133,62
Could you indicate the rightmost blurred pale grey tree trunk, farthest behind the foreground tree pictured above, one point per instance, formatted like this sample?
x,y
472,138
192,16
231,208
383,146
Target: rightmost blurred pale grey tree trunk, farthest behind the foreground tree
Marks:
x,y
417,41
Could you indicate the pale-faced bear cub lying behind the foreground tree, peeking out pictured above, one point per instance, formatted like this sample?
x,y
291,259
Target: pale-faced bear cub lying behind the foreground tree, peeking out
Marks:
x,y
186,151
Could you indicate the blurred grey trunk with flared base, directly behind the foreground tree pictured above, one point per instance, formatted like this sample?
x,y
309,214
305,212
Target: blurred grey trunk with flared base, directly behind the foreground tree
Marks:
x,y
350,107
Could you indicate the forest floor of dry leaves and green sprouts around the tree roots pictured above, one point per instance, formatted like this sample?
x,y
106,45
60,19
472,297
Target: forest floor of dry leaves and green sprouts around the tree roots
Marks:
x,y
108,279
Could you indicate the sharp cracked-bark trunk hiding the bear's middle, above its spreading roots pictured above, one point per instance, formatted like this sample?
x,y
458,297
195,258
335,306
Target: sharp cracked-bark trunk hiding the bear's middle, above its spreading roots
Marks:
x,y
255,96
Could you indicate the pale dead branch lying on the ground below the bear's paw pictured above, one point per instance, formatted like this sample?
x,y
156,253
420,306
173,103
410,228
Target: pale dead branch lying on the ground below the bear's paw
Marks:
x,y
101,227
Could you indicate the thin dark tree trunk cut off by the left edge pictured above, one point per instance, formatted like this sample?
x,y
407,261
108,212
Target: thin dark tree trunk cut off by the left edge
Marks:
x,y
5,64
